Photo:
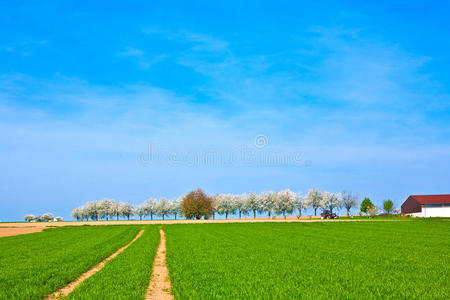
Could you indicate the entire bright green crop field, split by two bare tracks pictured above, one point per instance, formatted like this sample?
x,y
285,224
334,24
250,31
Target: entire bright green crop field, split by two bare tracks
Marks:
x,y
383,259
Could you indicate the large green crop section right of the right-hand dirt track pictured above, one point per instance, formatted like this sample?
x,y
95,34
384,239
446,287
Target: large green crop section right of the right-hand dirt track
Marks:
x,y
361,260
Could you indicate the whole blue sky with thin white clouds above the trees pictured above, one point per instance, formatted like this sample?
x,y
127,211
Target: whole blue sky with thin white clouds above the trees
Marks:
x,y
359,93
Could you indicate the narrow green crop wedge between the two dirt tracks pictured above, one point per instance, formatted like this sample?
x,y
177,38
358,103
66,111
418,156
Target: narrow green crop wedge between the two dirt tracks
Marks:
x,y
125,277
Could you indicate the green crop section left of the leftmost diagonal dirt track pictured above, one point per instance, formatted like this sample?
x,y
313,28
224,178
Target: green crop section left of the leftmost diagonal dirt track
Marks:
x,y
33,266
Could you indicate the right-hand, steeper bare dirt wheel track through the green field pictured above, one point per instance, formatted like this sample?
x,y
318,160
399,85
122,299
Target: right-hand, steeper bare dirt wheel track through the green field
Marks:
x,y
159,286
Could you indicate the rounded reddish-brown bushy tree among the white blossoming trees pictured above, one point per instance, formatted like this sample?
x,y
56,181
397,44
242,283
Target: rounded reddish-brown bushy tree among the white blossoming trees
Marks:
x,y
197,204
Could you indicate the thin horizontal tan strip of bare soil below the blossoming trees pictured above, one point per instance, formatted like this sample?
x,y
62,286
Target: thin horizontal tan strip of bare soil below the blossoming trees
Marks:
x,y
10,229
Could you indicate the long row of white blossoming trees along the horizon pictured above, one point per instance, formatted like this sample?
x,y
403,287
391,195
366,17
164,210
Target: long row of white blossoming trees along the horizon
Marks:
x,y
268,203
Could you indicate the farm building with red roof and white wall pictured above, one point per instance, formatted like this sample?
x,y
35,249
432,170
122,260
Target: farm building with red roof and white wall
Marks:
x,y
427,206
